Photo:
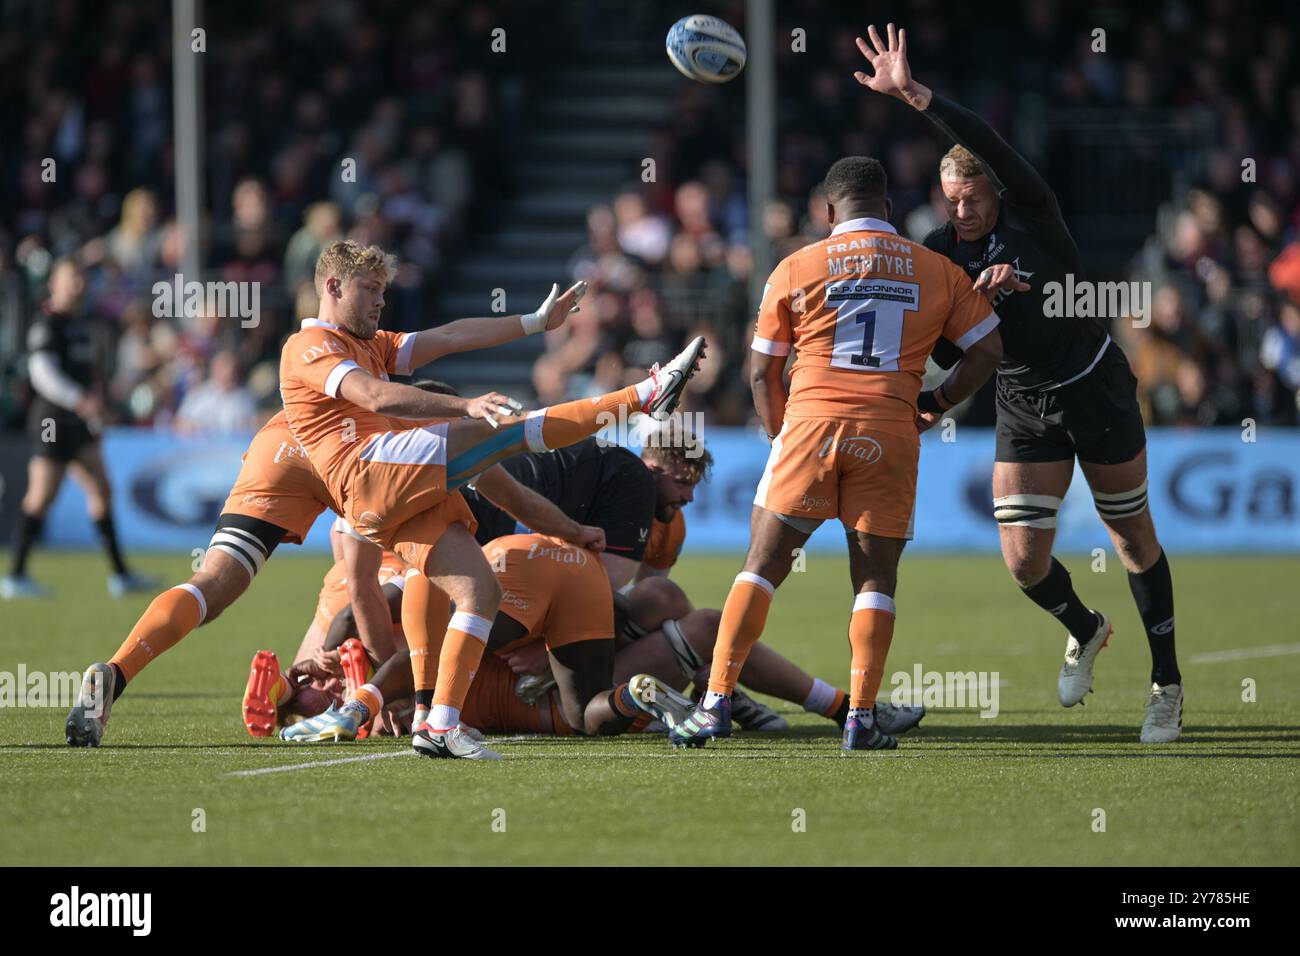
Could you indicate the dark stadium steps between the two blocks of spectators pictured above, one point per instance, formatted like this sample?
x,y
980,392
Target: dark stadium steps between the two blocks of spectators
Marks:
x,y
592,126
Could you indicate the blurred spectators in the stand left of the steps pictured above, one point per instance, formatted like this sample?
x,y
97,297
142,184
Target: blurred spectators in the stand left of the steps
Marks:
x,y
380,120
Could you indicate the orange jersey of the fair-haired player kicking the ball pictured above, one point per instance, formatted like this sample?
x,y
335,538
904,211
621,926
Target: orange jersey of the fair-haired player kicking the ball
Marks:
x,y
335,431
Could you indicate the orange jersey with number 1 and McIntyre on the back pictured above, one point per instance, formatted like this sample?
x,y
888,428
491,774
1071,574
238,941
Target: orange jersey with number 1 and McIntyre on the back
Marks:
x,y
864,309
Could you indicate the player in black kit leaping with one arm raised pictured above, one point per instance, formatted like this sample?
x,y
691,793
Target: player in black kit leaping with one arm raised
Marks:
x,y
1064,391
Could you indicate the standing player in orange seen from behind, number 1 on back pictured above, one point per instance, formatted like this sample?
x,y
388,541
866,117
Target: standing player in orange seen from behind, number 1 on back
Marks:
x,y
863,309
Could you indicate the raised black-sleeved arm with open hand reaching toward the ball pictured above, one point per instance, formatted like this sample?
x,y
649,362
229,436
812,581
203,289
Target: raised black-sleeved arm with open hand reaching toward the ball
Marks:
x,y
1016,180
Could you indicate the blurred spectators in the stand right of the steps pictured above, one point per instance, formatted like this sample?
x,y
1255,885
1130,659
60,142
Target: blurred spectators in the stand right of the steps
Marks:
x,y
670,259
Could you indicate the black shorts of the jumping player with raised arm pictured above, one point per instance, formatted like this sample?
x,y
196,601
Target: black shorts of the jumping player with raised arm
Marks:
x,y
1097,419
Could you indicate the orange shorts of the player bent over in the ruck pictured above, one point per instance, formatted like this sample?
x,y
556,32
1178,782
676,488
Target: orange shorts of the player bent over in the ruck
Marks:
x,y
560,592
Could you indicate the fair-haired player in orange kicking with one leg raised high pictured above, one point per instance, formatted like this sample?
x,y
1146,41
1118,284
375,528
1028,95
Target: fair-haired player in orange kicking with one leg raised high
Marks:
x,y
395,485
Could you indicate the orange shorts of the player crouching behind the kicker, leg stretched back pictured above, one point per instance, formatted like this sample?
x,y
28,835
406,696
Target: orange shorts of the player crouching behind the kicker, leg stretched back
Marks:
x,y
278,485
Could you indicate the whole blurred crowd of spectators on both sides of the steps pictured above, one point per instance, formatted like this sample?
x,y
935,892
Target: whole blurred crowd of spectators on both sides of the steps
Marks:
x,y
405,90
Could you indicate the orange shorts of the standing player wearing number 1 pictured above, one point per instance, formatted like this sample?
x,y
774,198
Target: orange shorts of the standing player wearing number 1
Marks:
x,y
863,473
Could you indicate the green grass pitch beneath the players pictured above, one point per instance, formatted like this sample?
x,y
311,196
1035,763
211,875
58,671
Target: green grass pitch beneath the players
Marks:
x,y
1022,788
